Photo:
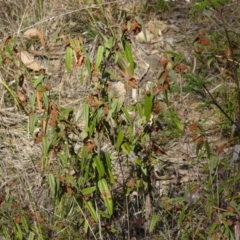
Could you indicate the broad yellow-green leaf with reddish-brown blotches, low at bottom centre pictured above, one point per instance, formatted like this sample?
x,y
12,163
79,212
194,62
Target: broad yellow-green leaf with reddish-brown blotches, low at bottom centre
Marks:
x,y
106,195
